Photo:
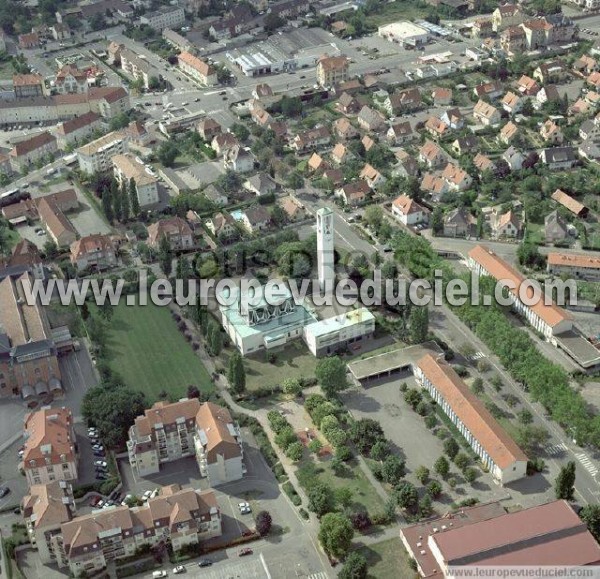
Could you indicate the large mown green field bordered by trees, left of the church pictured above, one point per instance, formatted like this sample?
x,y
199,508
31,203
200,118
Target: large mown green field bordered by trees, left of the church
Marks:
x,y
148,351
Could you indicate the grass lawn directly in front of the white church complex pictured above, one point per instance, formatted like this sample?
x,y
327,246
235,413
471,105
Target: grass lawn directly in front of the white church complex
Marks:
x,y
293,361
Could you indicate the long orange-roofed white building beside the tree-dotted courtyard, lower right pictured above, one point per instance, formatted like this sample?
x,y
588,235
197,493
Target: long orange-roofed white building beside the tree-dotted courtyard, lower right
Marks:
x,y
498,452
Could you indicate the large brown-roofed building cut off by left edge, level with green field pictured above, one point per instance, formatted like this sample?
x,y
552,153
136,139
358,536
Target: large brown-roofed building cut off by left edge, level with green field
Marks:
x,y
28,354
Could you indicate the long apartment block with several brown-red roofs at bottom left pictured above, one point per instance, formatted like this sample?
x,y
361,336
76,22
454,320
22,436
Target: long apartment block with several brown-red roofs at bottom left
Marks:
x,y
181,517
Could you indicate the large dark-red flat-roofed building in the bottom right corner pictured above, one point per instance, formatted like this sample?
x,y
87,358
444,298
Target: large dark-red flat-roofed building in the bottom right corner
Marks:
x,y
545,536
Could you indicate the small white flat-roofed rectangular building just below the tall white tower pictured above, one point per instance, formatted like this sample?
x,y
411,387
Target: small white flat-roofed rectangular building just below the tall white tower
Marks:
x,y
334,334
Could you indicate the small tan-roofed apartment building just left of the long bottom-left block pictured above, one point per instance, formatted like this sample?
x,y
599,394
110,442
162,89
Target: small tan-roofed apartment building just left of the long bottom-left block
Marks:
x,y
45,508
